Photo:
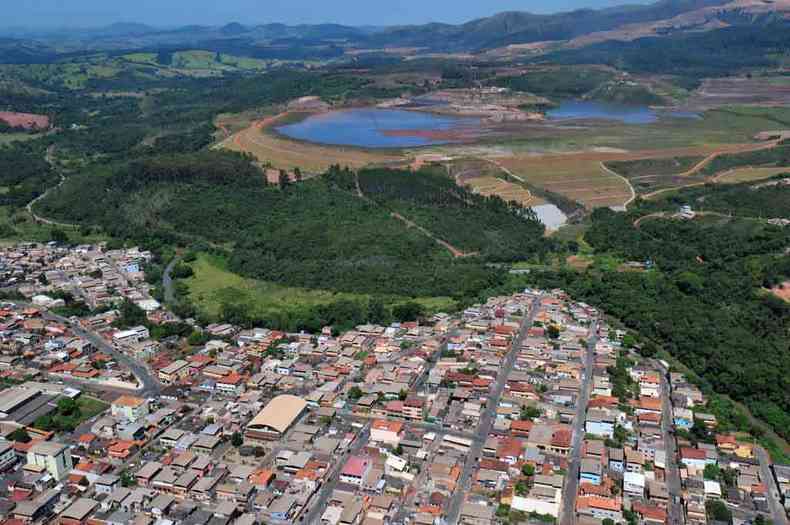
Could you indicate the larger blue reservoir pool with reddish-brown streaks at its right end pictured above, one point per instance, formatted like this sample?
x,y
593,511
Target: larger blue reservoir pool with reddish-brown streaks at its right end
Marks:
x,y
377,128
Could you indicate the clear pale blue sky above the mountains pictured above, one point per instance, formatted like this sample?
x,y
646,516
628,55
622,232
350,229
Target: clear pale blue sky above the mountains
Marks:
x,y
83,13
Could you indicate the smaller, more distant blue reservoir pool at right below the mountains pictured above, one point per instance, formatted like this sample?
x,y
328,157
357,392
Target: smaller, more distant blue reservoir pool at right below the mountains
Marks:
x,y
585,109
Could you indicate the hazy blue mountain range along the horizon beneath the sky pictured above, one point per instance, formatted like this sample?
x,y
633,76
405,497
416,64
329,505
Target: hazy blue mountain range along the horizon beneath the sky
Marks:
x,y
571,29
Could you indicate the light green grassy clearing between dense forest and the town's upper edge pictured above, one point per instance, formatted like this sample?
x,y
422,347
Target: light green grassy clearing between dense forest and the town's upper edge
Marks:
x,y
213,285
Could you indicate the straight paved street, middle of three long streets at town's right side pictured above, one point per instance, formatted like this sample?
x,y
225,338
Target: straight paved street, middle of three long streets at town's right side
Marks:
x,y
568,511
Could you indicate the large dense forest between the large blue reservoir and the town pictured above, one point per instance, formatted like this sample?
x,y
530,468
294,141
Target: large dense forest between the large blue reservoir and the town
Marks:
x,y
315,234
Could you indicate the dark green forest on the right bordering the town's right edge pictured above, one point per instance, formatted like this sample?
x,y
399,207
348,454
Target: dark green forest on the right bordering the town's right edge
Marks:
x,y
705,300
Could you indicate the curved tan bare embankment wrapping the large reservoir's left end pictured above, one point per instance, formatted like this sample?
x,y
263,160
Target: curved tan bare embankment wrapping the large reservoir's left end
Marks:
x,y
282,153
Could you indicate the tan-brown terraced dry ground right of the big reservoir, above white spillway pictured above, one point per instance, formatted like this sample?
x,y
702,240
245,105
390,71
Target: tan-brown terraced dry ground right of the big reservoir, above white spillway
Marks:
x,y
577,176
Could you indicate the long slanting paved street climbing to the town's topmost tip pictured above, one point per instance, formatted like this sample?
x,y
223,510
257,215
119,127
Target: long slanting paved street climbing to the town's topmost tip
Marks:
x,y
487,420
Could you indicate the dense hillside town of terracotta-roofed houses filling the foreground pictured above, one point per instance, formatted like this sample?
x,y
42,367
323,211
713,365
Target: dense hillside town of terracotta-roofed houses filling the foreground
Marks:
x,y
529,408
